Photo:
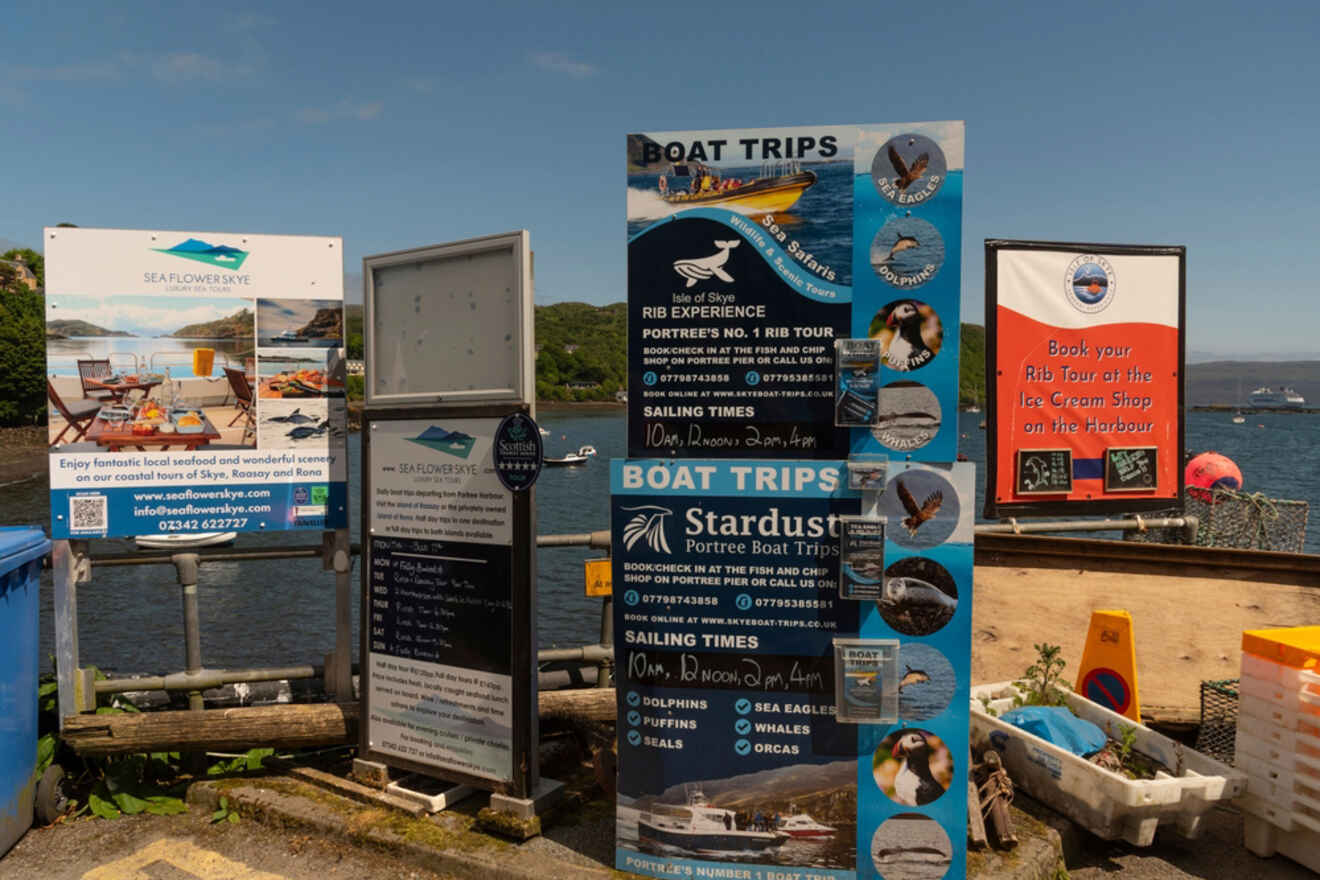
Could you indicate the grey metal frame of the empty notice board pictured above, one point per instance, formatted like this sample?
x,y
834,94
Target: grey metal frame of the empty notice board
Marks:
x,y
522,390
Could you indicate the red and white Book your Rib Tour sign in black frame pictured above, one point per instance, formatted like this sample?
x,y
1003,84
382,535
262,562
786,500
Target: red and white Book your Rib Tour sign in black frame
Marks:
x,y
1086,353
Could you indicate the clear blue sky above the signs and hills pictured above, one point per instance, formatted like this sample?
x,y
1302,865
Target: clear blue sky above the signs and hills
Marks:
x,y
399,125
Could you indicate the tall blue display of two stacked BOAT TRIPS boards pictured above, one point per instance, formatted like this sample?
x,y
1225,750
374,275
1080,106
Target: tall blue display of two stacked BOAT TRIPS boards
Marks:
x,y
794,629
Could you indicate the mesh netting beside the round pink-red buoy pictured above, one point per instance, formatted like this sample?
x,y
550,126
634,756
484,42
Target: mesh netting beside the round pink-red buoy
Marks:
x,y
1232,519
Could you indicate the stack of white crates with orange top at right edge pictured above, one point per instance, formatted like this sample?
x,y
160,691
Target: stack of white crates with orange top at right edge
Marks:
x,y
1278,743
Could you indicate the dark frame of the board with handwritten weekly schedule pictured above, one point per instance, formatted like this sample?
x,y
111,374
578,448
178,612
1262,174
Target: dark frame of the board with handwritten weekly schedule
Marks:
x,y
525,729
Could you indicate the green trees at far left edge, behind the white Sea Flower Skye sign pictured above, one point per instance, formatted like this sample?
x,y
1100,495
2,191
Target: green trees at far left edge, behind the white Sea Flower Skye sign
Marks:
x,y
23,356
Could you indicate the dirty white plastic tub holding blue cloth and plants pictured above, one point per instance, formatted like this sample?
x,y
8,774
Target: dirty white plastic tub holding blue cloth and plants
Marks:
x,y
1107,804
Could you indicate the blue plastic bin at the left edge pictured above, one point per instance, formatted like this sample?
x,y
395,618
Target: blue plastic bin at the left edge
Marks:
x,y
22,550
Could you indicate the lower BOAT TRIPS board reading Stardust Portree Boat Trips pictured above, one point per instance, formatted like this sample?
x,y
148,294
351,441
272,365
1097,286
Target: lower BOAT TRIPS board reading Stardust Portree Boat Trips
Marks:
x,y
727,612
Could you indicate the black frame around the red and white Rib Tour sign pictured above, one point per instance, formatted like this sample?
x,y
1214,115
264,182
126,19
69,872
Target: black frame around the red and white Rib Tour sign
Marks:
x,y
995,480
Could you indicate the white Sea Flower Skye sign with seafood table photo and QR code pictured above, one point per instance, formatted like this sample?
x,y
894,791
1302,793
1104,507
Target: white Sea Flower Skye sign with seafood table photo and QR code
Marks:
x,y
196,383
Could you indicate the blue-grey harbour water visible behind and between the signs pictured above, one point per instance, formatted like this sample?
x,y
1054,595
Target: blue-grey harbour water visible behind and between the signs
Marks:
x,y
283,613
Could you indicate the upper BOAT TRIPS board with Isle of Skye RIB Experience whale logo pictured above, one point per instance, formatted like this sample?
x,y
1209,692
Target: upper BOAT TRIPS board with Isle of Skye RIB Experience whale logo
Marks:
x,y
752,253
